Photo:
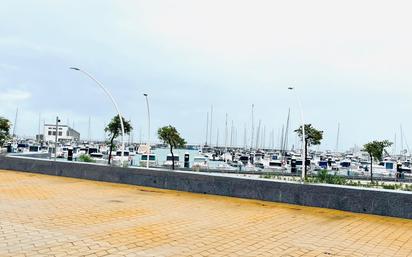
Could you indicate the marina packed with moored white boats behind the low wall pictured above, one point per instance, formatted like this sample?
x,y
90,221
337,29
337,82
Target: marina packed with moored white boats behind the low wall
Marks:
x,y
271,164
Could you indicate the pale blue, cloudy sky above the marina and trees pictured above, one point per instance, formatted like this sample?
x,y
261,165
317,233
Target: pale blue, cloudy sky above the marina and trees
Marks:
x,y
350,62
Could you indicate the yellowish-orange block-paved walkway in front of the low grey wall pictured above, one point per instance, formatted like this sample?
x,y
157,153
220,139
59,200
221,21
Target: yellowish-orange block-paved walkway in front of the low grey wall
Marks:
x,y
54,216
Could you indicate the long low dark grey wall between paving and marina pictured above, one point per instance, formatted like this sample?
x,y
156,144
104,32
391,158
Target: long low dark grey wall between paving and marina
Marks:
x,y
380,202
